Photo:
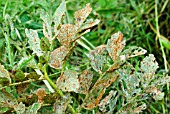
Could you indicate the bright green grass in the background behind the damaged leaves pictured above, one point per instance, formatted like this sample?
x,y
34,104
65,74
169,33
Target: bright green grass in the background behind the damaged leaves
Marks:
x,y
143,23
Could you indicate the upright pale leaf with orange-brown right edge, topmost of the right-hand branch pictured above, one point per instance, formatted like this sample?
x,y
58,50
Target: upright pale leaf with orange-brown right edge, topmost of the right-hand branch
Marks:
x,y
115,45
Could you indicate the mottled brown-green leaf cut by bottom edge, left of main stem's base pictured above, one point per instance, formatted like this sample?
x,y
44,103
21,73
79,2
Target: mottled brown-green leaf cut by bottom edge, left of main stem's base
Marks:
x,y
61,104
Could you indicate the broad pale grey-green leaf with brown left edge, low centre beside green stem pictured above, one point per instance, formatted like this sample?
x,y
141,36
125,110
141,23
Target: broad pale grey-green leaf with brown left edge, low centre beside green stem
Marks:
x,y
68,81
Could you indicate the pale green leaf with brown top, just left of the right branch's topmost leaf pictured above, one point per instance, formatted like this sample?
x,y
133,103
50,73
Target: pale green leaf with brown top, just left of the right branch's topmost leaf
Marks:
x,y
97,58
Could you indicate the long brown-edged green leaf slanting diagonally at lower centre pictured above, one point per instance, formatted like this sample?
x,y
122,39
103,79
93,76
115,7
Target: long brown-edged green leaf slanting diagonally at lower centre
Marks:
x,y
98,90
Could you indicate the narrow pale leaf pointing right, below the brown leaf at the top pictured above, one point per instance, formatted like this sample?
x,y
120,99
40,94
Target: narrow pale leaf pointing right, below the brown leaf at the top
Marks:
x,y
89,23
